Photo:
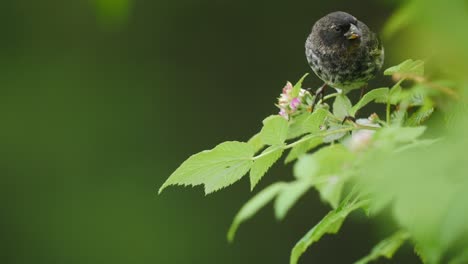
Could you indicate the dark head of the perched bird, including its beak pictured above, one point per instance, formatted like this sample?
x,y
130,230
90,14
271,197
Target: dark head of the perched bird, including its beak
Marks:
x,y
339,28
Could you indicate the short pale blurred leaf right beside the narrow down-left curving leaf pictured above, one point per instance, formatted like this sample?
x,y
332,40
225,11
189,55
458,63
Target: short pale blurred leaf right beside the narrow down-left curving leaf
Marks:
x,y
288,196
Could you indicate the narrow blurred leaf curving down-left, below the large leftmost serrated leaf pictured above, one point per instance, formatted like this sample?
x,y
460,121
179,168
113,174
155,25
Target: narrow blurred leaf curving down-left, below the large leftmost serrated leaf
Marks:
x,y
253,205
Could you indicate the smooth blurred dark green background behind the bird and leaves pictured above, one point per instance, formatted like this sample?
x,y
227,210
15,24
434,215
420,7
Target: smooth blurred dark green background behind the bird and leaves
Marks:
x,y
101,100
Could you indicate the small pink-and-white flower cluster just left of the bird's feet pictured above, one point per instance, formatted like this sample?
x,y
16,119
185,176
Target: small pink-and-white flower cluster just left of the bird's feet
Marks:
x,y
290,104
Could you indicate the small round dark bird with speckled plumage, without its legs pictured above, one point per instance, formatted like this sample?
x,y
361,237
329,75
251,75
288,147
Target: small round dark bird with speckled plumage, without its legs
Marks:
x,y
341,61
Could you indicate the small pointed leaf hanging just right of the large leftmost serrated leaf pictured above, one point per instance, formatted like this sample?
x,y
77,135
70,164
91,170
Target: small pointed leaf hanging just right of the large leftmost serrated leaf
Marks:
x,y
261,164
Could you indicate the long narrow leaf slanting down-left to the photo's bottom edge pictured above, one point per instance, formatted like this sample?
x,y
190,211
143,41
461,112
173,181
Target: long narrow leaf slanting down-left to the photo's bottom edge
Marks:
x,y
330,224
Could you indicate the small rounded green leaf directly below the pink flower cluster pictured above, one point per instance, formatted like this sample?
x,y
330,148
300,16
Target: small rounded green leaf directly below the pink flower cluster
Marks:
x,y
274,130
